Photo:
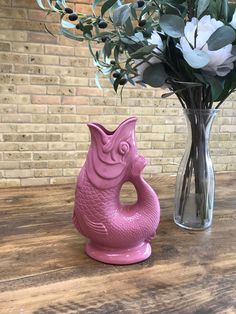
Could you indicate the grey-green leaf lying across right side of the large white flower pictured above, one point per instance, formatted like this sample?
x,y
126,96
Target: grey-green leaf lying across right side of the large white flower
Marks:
x,y
222,37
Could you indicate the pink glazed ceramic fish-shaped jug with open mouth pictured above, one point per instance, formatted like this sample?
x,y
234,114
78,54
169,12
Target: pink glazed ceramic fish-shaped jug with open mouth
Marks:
x,y
118,234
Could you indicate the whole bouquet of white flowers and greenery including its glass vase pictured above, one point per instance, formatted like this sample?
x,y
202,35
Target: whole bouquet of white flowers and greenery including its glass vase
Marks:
x,y
187,46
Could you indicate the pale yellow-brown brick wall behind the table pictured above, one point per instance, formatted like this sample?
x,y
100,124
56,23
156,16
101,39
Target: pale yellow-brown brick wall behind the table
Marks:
x,y
48,94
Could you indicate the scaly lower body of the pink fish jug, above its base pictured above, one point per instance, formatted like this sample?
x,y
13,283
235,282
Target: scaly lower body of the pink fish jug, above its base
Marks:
x,y
107,222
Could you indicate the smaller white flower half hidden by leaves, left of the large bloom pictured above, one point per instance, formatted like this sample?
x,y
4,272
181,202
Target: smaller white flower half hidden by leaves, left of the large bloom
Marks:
x,y
142,66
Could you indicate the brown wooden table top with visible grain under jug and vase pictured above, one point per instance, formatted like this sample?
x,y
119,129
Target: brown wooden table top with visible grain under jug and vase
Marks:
x,y
43,267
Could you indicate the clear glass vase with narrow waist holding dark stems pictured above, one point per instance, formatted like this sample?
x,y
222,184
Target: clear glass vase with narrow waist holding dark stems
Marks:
x,y
195,182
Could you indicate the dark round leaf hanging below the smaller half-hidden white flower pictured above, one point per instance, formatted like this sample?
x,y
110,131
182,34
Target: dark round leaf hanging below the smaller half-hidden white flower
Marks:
x,y
155,75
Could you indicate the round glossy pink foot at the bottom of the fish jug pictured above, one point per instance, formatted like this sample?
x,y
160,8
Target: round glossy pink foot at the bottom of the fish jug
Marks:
x,y
119,256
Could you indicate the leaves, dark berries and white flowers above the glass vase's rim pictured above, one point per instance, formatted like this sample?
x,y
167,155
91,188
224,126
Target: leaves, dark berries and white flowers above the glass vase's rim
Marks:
x,y
160,43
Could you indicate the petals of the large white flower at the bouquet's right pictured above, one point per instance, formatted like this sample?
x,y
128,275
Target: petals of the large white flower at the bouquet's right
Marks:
x,y
197,32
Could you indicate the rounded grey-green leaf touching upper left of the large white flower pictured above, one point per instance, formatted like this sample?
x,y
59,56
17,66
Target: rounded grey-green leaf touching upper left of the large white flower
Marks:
x,y
172,25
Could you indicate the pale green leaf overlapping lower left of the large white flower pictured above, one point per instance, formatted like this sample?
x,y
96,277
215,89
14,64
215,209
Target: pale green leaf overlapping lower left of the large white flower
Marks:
x,y
197,59
